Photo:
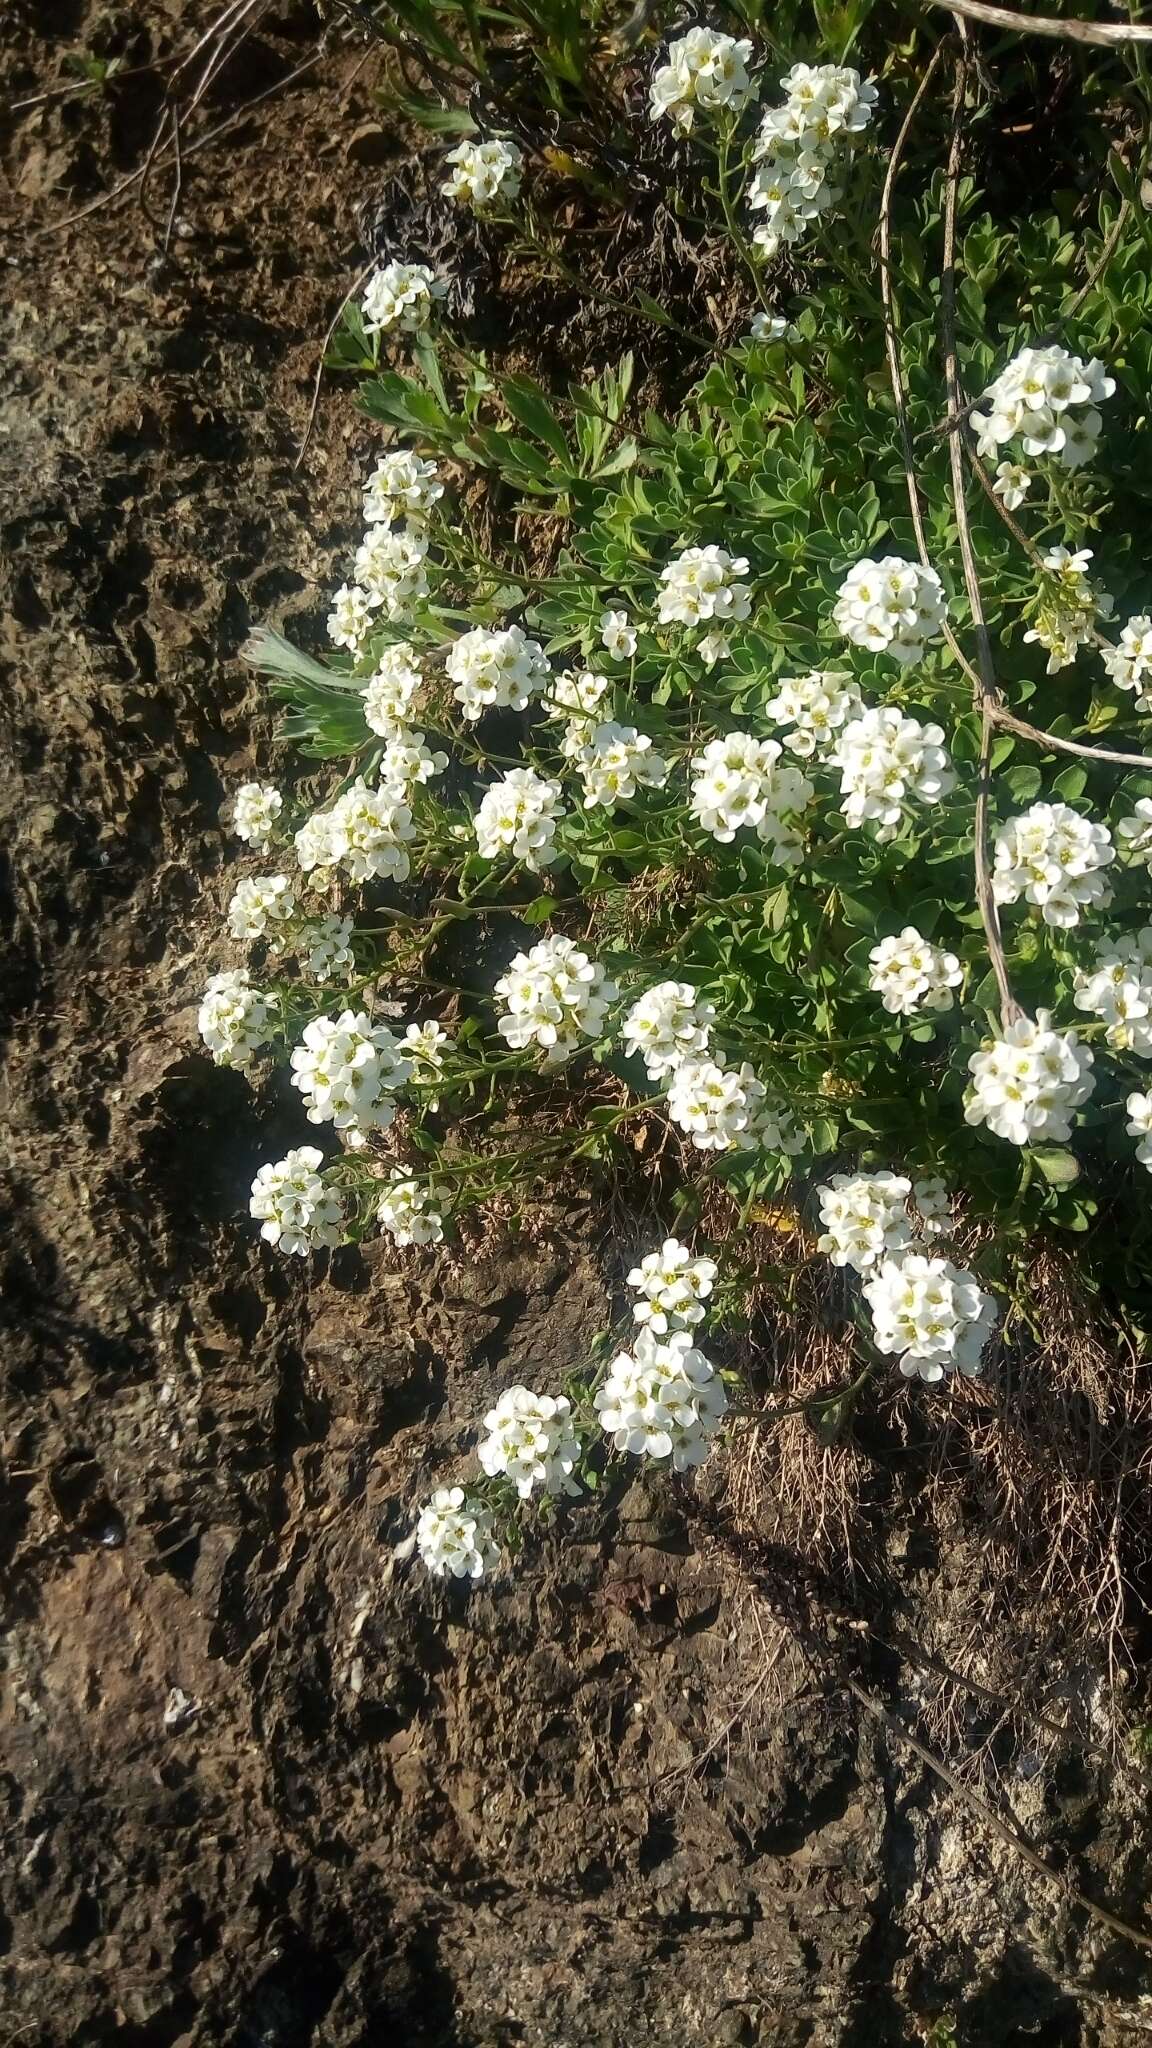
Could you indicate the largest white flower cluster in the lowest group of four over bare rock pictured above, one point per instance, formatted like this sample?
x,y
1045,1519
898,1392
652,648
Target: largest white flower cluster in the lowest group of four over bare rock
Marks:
x,y
663,1400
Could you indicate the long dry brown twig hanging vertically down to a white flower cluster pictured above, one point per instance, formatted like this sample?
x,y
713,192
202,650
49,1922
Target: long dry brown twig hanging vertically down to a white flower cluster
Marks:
x,y
987,691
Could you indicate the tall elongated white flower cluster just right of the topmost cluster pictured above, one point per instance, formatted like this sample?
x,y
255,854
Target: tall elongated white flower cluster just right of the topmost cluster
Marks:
x,y
803,142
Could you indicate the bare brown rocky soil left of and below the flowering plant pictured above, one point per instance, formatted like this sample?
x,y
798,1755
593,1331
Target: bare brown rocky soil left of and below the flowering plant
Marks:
x,y
263,1785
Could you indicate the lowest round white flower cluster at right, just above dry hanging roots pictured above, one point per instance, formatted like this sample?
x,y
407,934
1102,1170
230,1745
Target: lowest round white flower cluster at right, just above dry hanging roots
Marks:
x,y
932,1314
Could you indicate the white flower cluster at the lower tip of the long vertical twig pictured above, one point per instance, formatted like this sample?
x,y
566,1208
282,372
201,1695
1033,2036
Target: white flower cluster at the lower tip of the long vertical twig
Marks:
x,y
1028,1080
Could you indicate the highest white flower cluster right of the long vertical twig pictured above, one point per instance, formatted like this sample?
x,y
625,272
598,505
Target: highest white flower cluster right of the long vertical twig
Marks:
x,y
1046,400
